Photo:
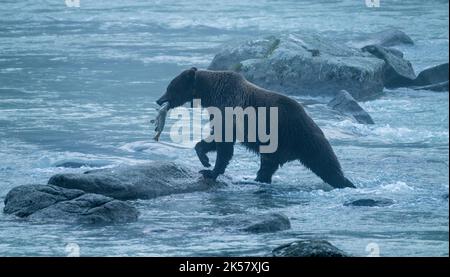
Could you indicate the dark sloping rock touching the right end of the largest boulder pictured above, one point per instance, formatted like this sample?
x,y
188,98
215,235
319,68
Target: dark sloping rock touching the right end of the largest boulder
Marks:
x,y
397,72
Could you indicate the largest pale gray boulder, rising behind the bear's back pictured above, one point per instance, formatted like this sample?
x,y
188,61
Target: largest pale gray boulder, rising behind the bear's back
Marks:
x,y
304,64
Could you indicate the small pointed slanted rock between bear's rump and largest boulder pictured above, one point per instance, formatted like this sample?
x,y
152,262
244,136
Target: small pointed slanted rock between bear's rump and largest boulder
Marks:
x,y
346,104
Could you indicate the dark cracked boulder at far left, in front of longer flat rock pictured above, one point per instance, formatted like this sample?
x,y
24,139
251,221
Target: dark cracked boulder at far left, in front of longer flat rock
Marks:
x,y
47,203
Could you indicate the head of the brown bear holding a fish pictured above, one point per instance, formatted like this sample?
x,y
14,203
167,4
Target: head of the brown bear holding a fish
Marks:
x,y
180,90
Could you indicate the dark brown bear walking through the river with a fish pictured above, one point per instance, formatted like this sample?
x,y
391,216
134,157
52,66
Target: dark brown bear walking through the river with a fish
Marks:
x,y
299,138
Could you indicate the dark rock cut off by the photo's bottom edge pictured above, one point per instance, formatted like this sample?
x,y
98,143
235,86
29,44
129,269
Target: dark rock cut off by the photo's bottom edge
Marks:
x,y
308,248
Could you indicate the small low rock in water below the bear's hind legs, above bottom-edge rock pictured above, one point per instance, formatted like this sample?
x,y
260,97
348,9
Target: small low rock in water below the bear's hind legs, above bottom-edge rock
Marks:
x,y
268,223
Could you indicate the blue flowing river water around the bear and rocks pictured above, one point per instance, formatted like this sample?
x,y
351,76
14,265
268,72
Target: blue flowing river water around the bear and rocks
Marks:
x,y
79,85
